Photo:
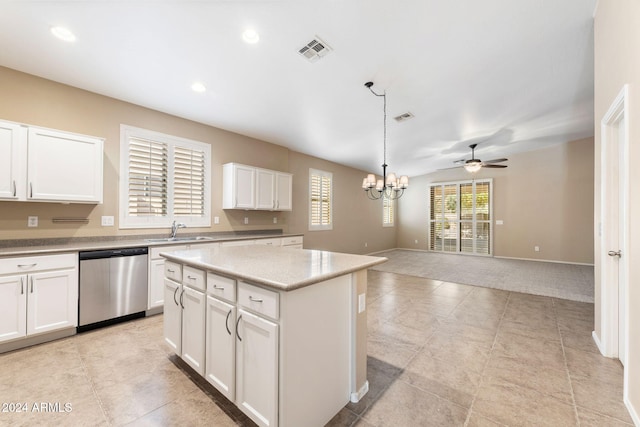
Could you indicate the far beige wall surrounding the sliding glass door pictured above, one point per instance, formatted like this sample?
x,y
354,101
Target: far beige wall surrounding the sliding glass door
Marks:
x,y
544,197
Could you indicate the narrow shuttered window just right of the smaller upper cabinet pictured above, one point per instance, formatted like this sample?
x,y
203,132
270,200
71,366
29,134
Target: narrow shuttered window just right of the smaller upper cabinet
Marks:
x,y
320,200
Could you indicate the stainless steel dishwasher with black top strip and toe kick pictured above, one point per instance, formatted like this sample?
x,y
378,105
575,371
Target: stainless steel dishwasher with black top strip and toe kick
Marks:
x,y
113,286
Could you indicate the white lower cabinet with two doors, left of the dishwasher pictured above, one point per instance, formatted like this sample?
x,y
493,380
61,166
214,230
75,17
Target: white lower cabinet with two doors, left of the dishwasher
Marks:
x,y
38,294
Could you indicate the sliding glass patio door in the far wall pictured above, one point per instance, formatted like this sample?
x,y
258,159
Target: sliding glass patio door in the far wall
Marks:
x,y
460,217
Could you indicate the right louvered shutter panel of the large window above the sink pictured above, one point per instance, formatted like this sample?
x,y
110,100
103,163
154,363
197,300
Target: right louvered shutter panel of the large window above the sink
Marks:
x,y
188,182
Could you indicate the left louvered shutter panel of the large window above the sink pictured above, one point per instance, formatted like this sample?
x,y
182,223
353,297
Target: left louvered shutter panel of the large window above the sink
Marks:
x,y
148,166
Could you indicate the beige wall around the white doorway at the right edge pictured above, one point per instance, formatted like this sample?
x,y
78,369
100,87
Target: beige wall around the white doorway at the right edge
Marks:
x,y
617,62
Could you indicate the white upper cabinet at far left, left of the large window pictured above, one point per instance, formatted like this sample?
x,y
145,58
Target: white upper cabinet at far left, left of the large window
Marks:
x,y
46,165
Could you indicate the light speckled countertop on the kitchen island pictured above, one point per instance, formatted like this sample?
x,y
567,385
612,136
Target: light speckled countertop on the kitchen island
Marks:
x,y
279,268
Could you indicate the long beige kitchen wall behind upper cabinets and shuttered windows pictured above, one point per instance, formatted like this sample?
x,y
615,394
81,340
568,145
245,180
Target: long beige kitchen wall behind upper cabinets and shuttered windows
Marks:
x,y
35,101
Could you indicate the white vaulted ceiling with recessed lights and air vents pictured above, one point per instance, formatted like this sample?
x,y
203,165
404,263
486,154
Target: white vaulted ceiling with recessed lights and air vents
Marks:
x,y
511,75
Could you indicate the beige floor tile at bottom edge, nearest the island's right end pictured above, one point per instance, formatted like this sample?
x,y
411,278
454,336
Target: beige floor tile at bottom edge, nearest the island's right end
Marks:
x,y
405,405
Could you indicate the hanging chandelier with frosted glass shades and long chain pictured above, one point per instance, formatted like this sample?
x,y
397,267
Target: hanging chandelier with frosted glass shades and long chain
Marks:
x,y
389,186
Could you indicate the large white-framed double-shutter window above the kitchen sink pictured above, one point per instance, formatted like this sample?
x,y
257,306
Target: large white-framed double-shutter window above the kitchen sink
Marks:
x,y
163,178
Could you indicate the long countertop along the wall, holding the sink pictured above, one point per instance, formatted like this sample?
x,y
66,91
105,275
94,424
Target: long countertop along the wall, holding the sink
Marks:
x,y
50,246
